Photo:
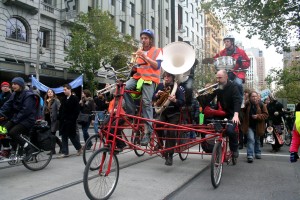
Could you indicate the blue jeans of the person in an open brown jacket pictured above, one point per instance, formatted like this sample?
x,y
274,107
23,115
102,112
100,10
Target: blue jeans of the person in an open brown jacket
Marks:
x,y
253,144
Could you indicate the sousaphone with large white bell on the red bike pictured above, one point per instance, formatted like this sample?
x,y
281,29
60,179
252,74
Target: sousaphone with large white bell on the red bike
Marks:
x,y
178,59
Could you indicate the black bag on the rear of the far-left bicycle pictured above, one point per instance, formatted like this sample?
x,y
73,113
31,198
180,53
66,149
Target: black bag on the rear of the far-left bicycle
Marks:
x,y
42,137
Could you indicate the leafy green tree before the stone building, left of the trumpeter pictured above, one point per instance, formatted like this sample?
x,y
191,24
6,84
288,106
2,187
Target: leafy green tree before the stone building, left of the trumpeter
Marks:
x,y
96,40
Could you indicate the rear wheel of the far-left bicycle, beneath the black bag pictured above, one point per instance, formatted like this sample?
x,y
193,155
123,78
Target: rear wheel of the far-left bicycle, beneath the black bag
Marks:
x,y
39,160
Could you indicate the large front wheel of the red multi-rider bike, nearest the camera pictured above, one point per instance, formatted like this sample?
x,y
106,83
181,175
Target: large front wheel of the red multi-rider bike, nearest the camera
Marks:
x,y
97,184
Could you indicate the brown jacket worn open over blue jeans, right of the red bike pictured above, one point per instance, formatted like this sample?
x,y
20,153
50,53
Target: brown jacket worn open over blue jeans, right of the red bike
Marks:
x,y
262,115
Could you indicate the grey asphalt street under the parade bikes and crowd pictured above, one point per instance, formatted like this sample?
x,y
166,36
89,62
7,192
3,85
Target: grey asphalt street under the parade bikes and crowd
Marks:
x,y
146,177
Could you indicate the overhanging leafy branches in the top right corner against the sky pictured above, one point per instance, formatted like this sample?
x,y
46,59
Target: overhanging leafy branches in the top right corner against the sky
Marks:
x,y
275,22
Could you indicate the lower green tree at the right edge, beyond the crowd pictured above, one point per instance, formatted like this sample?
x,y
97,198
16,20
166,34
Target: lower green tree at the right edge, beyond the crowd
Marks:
x,y
287,80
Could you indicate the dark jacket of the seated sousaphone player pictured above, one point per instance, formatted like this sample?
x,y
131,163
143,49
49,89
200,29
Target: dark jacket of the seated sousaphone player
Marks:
x,y
173,107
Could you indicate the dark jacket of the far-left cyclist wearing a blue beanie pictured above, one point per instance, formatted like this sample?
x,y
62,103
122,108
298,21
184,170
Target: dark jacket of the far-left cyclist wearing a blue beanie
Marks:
x,y
20,108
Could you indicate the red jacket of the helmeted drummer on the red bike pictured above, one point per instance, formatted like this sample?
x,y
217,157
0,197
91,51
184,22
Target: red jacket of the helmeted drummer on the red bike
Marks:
x,y
236,54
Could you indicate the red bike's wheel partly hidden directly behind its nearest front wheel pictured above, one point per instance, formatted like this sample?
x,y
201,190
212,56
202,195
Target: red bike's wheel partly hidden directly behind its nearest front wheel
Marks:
x,y
93,143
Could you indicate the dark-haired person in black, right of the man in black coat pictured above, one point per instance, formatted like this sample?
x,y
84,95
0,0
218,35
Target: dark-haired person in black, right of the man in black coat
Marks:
x,y
87,106
